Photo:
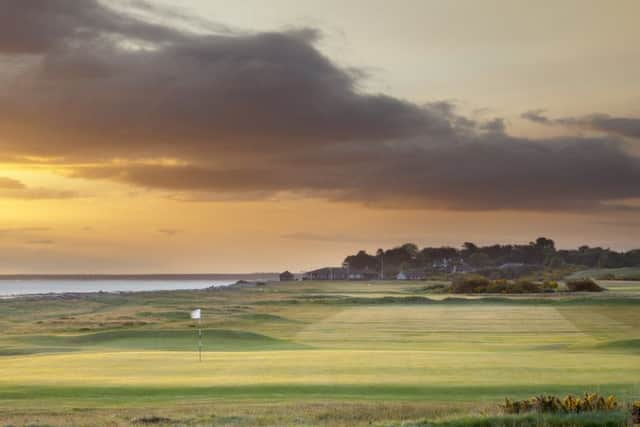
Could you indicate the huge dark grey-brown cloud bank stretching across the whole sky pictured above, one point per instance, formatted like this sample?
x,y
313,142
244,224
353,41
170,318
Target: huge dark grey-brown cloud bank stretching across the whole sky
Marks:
x,y
261,114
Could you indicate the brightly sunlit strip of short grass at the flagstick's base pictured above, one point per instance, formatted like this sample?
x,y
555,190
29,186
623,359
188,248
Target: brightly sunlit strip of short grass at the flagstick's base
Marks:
x,y
326,367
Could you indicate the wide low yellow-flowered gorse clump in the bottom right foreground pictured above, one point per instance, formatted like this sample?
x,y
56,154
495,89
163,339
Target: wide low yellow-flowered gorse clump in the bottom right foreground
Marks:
x,y
569,404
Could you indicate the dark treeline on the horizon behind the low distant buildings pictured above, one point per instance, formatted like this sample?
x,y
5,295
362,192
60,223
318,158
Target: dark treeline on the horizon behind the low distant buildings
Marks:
x,y
540,253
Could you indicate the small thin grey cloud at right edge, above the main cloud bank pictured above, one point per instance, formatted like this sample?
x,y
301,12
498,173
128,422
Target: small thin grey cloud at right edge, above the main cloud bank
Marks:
x,y
622,126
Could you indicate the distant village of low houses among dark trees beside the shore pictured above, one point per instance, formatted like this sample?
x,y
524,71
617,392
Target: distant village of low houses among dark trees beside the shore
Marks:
x,y
408,262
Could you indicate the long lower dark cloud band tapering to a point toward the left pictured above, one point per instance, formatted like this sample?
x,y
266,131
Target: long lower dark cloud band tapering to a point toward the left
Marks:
x,y
566,174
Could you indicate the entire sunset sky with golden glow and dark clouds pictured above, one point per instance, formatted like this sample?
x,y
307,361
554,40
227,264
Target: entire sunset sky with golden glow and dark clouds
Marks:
x,y
200,136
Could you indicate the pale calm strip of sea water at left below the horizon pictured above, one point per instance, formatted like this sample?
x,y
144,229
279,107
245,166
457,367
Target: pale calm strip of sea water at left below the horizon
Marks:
x,y
27,287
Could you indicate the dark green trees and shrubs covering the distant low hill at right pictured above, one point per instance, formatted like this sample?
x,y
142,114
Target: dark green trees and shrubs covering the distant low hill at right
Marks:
x,y
539,260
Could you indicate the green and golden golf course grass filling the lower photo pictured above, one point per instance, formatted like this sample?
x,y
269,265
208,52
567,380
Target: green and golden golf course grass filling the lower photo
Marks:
x,y
309,353
